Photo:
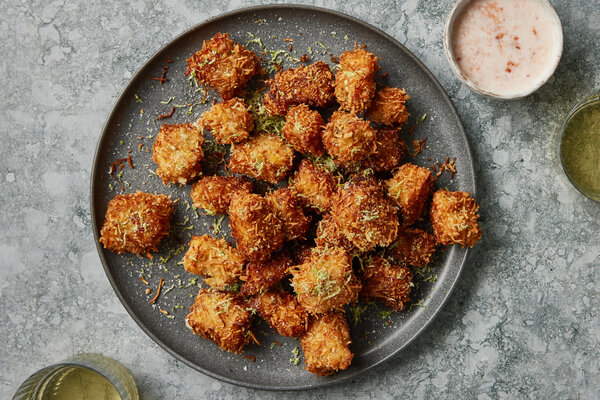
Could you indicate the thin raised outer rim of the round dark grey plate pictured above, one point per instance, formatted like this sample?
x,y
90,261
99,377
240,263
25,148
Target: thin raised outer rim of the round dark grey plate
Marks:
x,y
104,135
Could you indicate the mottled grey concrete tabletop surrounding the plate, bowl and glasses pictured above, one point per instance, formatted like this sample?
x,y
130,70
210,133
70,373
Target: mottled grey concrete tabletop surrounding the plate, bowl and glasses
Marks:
x,y
522,323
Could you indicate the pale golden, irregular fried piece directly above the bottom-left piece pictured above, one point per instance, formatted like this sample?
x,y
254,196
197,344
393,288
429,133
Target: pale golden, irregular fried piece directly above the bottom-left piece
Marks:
x,y
215,259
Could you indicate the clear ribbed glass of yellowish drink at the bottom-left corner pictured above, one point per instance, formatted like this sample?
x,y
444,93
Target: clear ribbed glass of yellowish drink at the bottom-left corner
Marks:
x,y
85,376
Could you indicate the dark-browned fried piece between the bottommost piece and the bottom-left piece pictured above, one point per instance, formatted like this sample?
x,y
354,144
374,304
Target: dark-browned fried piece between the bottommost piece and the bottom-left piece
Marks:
x,y
282,312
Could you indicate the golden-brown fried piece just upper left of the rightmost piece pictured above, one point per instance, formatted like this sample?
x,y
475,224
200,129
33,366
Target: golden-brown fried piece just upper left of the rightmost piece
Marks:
x,y
409,189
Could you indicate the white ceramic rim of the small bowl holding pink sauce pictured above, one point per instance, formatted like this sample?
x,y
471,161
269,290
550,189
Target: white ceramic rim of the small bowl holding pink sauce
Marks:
x,y
458,6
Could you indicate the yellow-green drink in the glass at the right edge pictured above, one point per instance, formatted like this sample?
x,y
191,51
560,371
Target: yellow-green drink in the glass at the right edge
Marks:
x,y
580,149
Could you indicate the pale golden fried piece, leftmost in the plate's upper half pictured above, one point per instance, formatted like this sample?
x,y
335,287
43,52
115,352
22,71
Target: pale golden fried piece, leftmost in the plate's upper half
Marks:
x,y
178,153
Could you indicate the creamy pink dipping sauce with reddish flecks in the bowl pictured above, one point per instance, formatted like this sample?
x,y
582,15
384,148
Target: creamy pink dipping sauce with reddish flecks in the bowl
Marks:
x,y
506,47
